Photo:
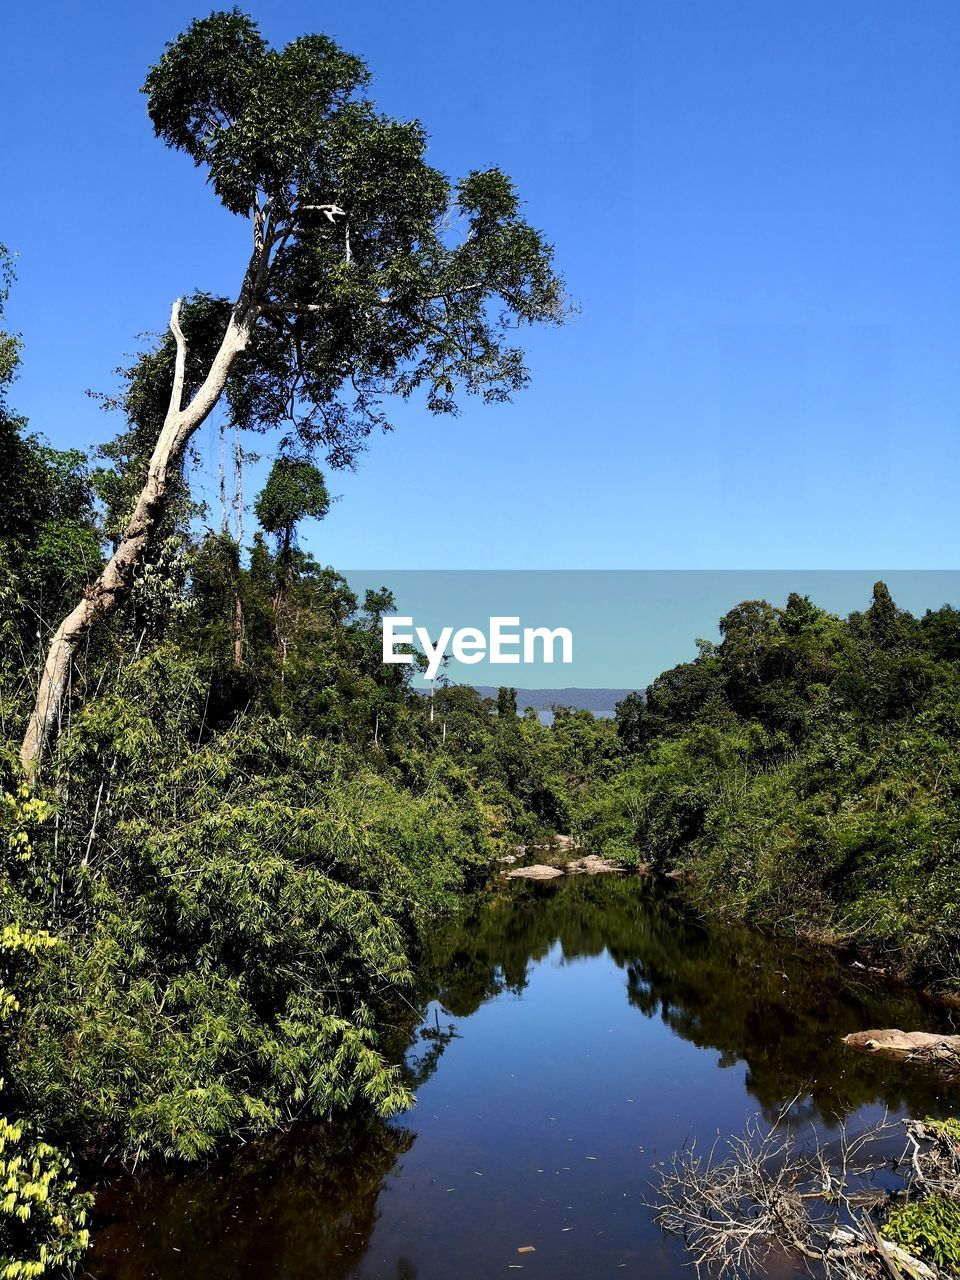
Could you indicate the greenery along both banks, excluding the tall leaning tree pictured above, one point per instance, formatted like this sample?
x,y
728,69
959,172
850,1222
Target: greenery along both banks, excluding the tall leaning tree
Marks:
x,y
216,897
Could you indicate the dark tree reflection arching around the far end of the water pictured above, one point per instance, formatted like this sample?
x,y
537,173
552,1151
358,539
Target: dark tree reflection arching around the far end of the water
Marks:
x,y
776,1007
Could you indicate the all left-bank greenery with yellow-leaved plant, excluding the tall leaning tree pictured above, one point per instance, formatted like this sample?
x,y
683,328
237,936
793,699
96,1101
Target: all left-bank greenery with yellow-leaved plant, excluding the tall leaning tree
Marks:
x,y
213,894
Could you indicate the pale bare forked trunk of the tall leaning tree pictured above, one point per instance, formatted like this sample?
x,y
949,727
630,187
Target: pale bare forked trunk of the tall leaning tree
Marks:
x,y
115,584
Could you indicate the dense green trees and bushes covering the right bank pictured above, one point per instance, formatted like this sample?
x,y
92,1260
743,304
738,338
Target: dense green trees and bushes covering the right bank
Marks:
x,y
806,772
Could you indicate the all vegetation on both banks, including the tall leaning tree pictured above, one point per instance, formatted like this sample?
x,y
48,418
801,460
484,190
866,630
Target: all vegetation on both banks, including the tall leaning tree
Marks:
x,y
228,824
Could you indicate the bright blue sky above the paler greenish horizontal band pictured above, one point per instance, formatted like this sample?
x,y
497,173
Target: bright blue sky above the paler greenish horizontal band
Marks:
x,y
756,204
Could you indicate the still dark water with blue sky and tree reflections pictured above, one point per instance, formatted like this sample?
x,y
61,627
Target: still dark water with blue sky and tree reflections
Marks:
x,y
568,1037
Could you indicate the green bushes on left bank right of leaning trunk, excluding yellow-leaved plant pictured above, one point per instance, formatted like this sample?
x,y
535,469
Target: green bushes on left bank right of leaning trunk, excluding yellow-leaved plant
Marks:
x,y
235,848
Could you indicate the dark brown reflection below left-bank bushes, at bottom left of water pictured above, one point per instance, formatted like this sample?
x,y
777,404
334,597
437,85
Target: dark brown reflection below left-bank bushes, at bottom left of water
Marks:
x,y
300,1205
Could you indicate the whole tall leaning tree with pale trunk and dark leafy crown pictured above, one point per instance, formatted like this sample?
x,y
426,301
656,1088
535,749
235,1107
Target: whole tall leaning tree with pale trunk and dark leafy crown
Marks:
x,y
371,276
